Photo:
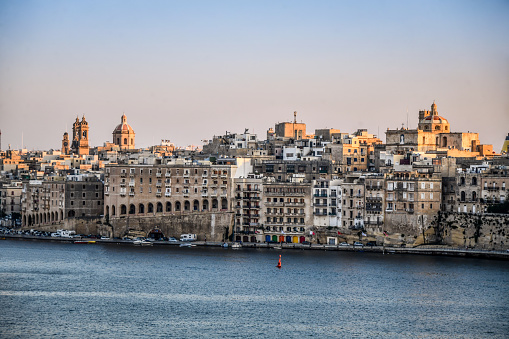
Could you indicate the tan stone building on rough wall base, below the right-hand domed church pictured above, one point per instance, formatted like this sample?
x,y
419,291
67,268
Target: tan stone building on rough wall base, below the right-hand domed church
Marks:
x,y
412,199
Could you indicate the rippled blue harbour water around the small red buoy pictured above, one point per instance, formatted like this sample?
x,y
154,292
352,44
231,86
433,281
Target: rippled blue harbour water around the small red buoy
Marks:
x,y
114,291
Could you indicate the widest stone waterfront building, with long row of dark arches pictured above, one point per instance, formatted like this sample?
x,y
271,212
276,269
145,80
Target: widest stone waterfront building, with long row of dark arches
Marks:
x,y
176,197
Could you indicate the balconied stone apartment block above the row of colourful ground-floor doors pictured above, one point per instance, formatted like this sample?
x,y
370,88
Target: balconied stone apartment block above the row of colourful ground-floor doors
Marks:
x,y
286,211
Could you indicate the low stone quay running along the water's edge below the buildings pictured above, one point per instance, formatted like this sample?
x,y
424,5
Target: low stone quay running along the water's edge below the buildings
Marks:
x,y
422,250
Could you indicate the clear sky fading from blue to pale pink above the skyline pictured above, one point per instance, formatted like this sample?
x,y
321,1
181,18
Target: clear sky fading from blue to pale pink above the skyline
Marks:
x,y
188,70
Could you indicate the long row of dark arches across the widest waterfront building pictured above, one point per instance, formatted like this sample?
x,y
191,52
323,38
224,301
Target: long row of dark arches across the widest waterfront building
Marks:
x,y
177,206
